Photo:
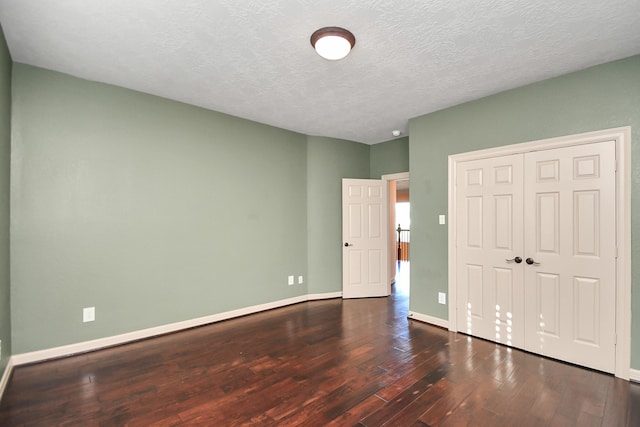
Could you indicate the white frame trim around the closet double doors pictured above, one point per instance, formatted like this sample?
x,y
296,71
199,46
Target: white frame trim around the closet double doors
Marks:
x,y
622,138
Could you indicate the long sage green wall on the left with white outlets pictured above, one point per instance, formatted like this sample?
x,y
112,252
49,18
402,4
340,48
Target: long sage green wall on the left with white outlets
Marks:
x,y
150,210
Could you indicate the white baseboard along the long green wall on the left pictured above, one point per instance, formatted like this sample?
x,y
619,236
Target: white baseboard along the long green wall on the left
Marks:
x,y
83,347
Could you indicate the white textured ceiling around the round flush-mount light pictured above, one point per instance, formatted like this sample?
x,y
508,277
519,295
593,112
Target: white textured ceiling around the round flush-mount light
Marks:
x,y
253,59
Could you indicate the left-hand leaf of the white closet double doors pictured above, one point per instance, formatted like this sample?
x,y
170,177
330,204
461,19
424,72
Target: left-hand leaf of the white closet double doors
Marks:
x,y
490,292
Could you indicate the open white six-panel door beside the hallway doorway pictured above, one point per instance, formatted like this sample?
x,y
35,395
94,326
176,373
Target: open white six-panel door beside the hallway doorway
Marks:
x,y
365,240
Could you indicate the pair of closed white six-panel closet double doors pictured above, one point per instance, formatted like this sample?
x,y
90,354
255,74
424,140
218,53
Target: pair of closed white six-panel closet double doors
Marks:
x,y
555,209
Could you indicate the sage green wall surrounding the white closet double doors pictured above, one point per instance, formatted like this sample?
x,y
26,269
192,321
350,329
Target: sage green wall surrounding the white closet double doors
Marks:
x,y
597,98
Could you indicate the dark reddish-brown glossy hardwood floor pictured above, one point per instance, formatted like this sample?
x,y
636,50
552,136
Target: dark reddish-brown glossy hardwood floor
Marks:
x,y
322,363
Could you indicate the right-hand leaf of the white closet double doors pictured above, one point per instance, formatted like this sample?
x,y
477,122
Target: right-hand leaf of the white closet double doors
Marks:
x,y
570,289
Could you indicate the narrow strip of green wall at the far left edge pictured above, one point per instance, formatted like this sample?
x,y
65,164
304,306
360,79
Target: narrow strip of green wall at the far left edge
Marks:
x,y
5,163
